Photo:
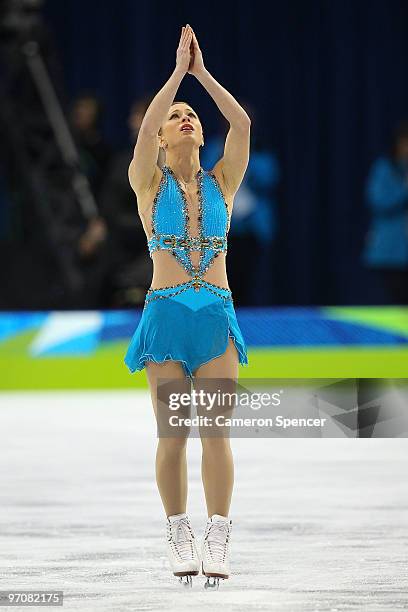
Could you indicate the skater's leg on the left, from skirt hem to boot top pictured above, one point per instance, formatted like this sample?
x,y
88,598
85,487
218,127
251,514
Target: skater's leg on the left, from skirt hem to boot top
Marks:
x,y
171,460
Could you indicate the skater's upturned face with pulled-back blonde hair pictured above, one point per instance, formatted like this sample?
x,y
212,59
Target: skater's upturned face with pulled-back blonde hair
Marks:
x,y
182,124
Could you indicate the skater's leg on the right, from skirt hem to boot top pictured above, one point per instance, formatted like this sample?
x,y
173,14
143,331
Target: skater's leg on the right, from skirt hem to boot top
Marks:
x,y
217,465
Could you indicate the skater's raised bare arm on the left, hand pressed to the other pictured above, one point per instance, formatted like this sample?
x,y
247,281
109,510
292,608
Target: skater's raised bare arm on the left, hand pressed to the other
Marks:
x,y
144,162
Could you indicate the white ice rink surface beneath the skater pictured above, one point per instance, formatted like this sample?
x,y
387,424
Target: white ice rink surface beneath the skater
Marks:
x,y
318,524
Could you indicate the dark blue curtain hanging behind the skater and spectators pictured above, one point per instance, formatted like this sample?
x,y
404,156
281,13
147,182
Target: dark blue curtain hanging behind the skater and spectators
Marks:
x,y
327,79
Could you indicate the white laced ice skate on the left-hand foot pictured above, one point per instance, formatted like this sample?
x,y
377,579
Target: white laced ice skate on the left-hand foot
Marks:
x,y
182,548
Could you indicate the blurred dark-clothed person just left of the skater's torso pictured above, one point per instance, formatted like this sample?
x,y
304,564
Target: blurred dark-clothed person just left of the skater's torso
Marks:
x,y
131,264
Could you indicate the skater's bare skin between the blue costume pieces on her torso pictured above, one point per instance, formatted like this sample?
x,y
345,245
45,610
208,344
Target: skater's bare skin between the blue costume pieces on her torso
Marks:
x,y
166,269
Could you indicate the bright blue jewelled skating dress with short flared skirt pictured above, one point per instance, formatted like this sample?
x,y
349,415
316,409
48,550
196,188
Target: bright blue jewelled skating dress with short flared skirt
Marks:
x,y
189,322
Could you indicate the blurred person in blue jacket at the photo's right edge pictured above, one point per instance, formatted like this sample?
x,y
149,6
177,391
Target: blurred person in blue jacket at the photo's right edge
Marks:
x,y
386,243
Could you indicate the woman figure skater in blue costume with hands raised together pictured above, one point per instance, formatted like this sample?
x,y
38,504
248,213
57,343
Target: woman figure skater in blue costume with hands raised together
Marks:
x,y
188,330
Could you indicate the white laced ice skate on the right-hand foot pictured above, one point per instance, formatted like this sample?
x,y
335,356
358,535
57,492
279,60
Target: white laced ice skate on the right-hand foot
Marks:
x,y
215,550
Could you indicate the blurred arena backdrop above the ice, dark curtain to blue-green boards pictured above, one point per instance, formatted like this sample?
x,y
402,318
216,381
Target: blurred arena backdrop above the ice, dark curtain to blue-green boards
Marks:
x,y
318,246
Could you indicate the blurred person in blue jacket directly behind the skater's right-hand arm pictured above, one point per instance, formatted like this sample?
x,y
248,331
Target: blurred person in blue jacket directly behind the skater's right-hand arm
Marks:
x,y
254,218
